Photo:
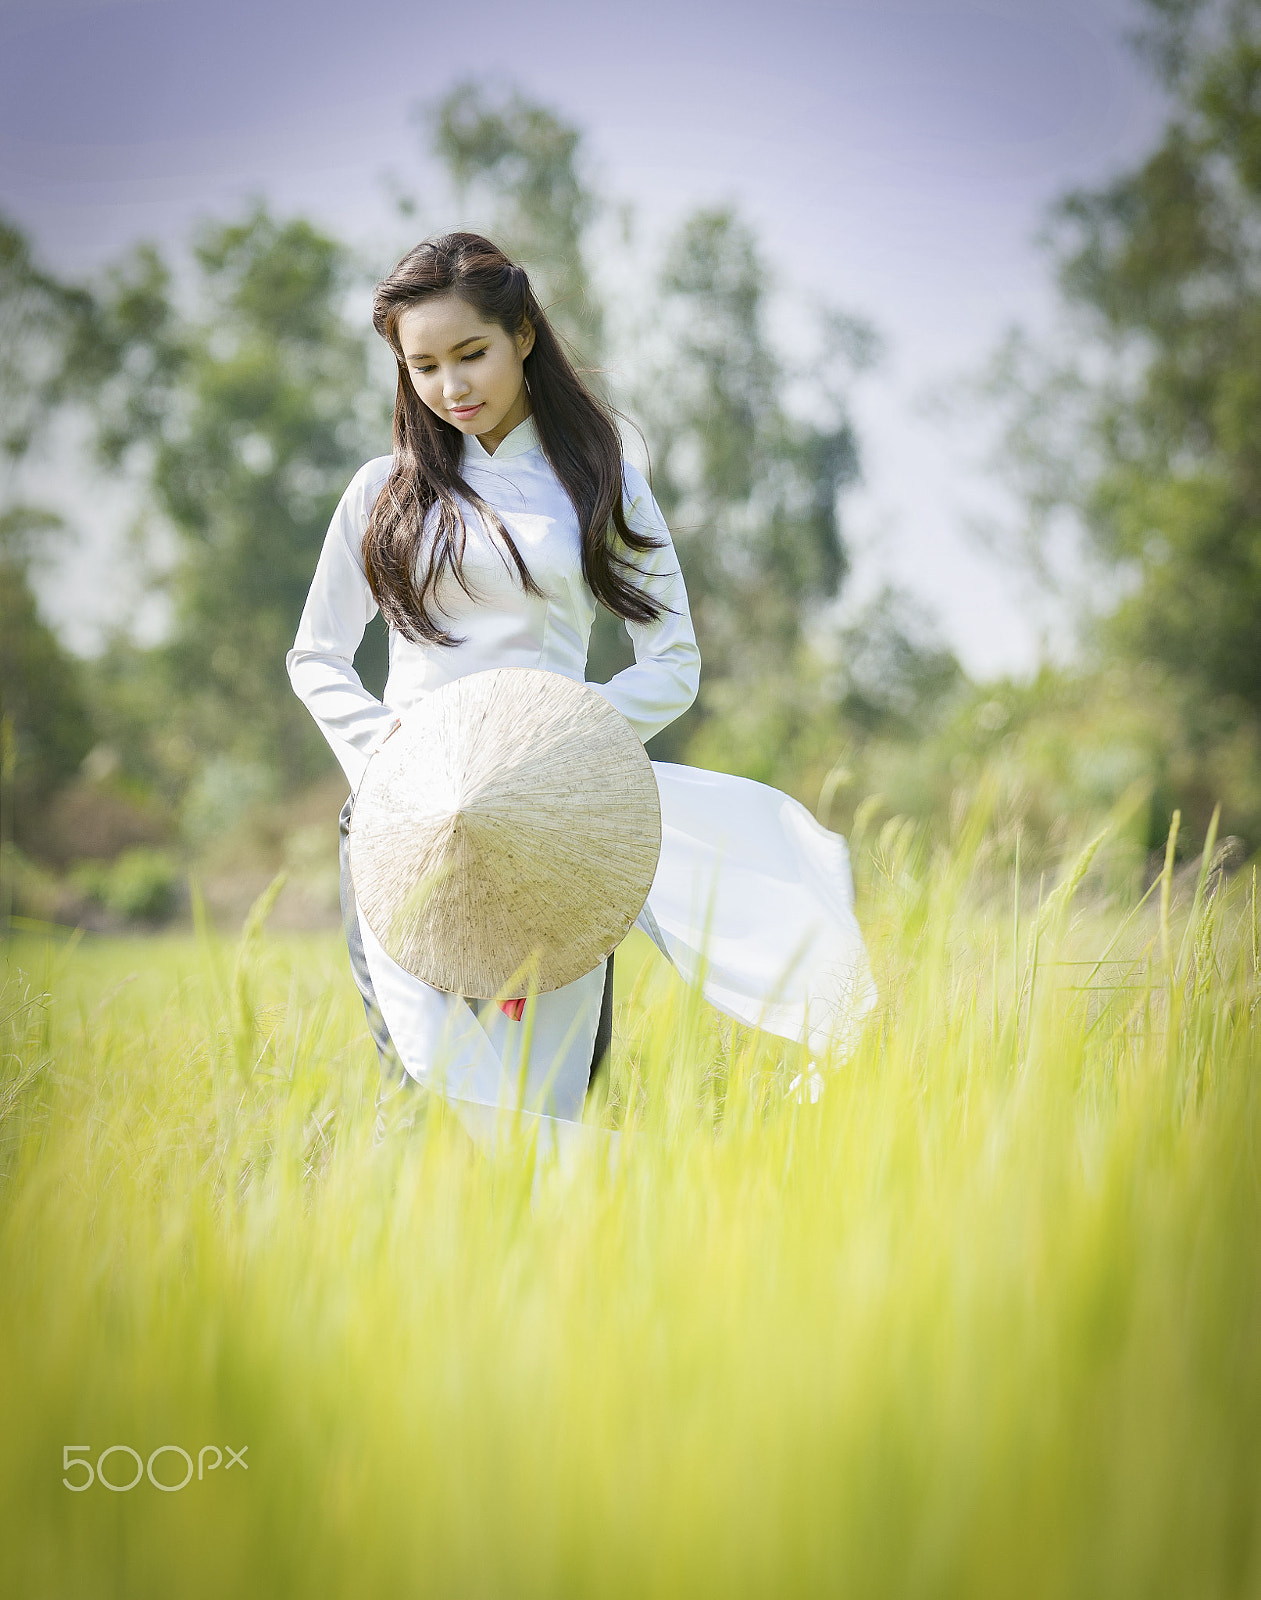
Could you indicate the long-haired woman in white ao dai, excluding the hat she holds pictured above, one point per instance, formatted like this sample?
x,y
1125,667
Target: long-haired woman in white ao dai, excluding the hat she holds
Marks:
x,y
487,540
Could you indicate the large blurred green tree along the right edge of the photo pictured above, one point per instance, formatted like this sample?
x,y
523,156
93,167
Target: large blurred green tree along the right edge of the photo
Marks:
x,y
1169,262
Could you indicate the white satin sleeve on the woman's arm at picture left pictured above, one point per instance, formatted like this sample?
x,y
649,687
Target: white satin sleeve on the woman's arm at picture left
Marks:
x,y
337,612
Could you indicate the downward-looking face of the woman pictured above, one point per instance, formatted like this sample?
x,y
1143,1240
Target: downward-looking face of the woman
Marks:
x,y
466,370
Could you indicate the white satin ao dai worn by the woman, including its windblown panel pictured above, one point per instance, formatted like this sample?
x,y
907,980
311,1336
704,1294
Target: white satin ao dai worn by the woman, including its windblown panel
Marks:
x,y
753,898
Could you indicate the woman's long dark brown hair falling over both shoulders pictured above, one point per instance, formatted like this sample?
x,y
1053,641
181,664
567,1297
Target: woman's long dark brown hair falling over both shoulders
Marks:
x,y
575,430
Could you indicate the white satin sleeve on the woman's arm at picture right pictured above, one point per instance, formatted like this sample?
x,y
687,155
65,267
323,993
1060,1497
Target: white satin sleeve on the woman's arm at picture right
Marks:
x,y
668,665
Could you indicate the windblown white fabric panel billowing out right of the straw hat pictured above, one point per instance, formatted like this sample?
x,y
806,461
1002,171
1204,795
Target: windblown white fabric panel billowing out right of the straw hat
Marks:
x,y
755,903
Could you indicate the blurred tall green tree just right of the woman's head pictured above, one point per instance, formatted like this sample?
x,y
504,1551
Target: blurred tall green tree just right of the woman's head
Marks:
x,y
750,489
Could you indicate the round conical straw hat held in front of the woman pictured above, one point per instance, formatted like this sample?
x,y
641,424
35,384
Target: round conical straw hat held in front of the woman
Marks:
x,y
506,833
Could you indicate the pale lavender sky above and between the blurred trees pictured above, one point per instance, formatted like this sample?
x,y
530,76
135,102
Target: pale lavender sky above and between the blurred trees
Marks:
x,y
895,159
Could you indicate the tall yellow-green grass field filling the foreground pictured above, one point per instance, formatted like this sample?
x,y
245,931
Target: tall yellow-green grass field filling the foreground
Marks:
x,y
983,1322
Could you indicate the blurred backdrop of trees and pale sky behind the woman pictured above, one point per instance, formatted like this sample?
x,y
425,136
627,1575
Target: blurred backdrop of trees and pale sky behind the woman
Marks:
x,y
937,322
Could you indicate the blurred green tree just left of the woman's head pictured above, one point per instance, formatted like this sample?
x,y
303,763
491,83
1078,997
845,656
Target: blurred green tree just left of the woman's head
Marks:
x,y
246,406
